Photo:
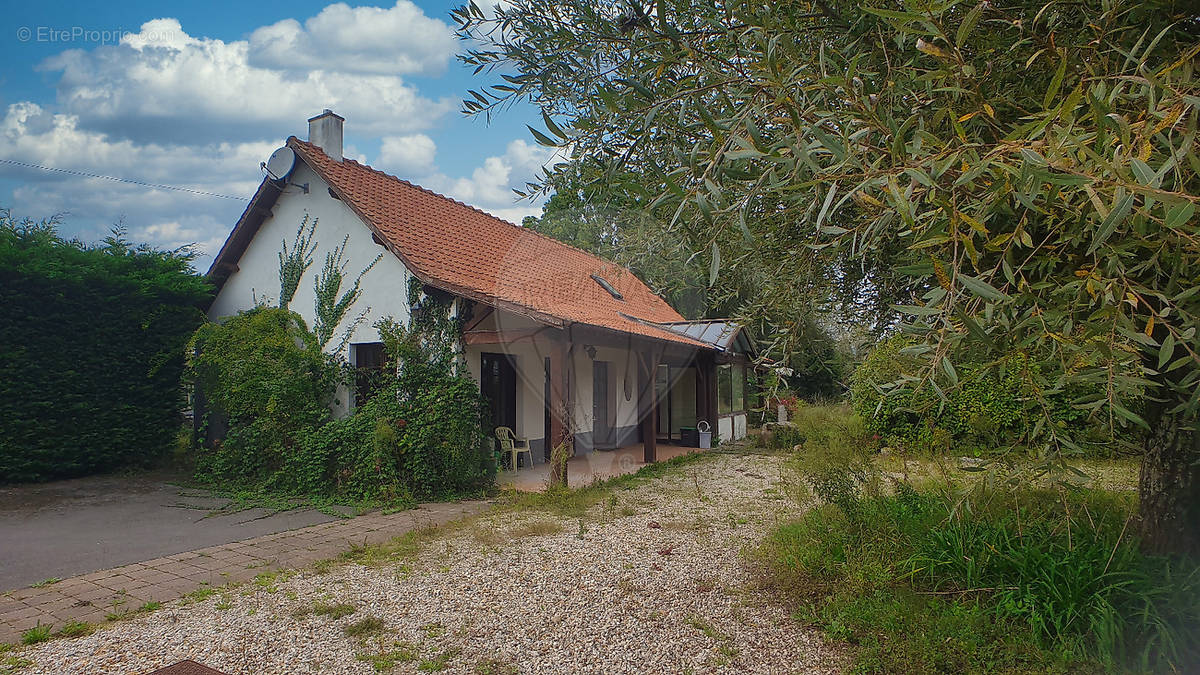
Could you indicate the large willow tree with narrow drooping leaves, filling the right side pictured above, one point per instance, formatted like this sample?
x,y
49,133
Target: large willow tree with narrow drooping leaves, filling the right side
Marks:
x,y
1029,168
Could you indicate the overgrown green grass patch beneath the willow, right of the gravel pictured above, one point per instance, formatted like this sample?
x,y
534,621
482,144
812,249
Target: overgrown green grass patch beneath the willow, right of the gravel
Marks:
x,y
970,577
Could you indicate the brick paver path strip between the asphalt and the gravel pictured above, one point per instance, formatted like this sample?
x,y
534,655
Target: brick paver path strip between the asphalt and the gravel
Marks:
x,y
92,598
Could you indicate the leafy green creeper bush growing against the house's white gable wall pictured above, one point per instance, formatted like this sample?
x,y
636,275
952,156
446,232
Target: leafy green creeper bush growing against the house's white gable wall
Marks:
x,y
266,377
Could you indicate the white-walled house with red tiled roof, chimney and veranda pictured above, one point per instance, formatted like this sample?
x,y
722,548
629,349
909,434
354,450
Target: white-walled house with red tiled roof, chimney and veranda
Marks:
x,y
563,344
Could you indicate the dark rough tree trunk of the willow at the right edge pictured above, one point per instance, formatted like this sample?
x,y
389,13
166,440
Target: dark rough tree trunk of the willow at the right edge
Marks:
x,y
1169,486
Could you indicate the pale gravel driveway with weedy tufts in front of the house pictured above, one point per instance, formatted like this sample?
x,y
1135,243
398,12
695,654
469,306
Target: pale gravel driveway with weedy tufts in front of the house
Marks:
x,y
651,580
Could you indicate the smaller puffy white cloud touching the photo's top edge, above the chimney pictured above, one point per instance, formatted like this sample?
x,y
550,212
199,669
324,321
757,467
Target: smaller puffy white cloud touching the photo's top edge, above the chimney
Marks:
x,y
365,40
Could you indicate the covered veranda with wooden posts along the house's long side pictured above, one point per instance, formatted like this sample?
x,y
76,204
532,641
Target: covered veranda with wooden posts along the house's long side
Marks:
x,y
616,399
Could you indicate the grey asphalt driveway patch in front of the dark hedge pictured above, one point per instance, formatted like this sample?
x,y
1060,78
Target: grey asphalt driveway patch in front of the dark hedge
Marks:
x,y
73,528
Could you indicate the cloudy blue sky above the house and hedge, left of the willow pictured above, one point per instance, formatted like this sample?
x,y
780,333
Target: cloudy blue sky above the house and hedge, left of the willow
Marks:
x,y
197,94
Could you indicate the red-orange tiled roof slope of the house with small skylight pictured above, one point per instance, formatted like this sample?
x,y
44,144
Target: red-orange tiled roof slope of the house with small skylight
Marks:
x,y
464,250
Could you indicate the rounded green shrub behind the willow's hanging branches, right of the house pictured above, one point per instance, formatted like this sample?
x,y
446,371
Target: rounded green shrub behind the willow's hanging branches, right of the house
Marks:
x,y
982,414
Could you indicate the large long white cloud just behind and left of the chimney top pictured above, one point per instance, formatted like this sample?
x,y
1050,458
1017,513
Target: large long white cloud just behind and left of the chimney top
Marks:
x,y
161,83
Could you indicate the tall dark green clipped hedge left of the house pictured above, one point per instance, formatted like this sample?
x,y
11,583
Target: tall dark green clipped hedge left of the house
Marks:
x,y
92,347
